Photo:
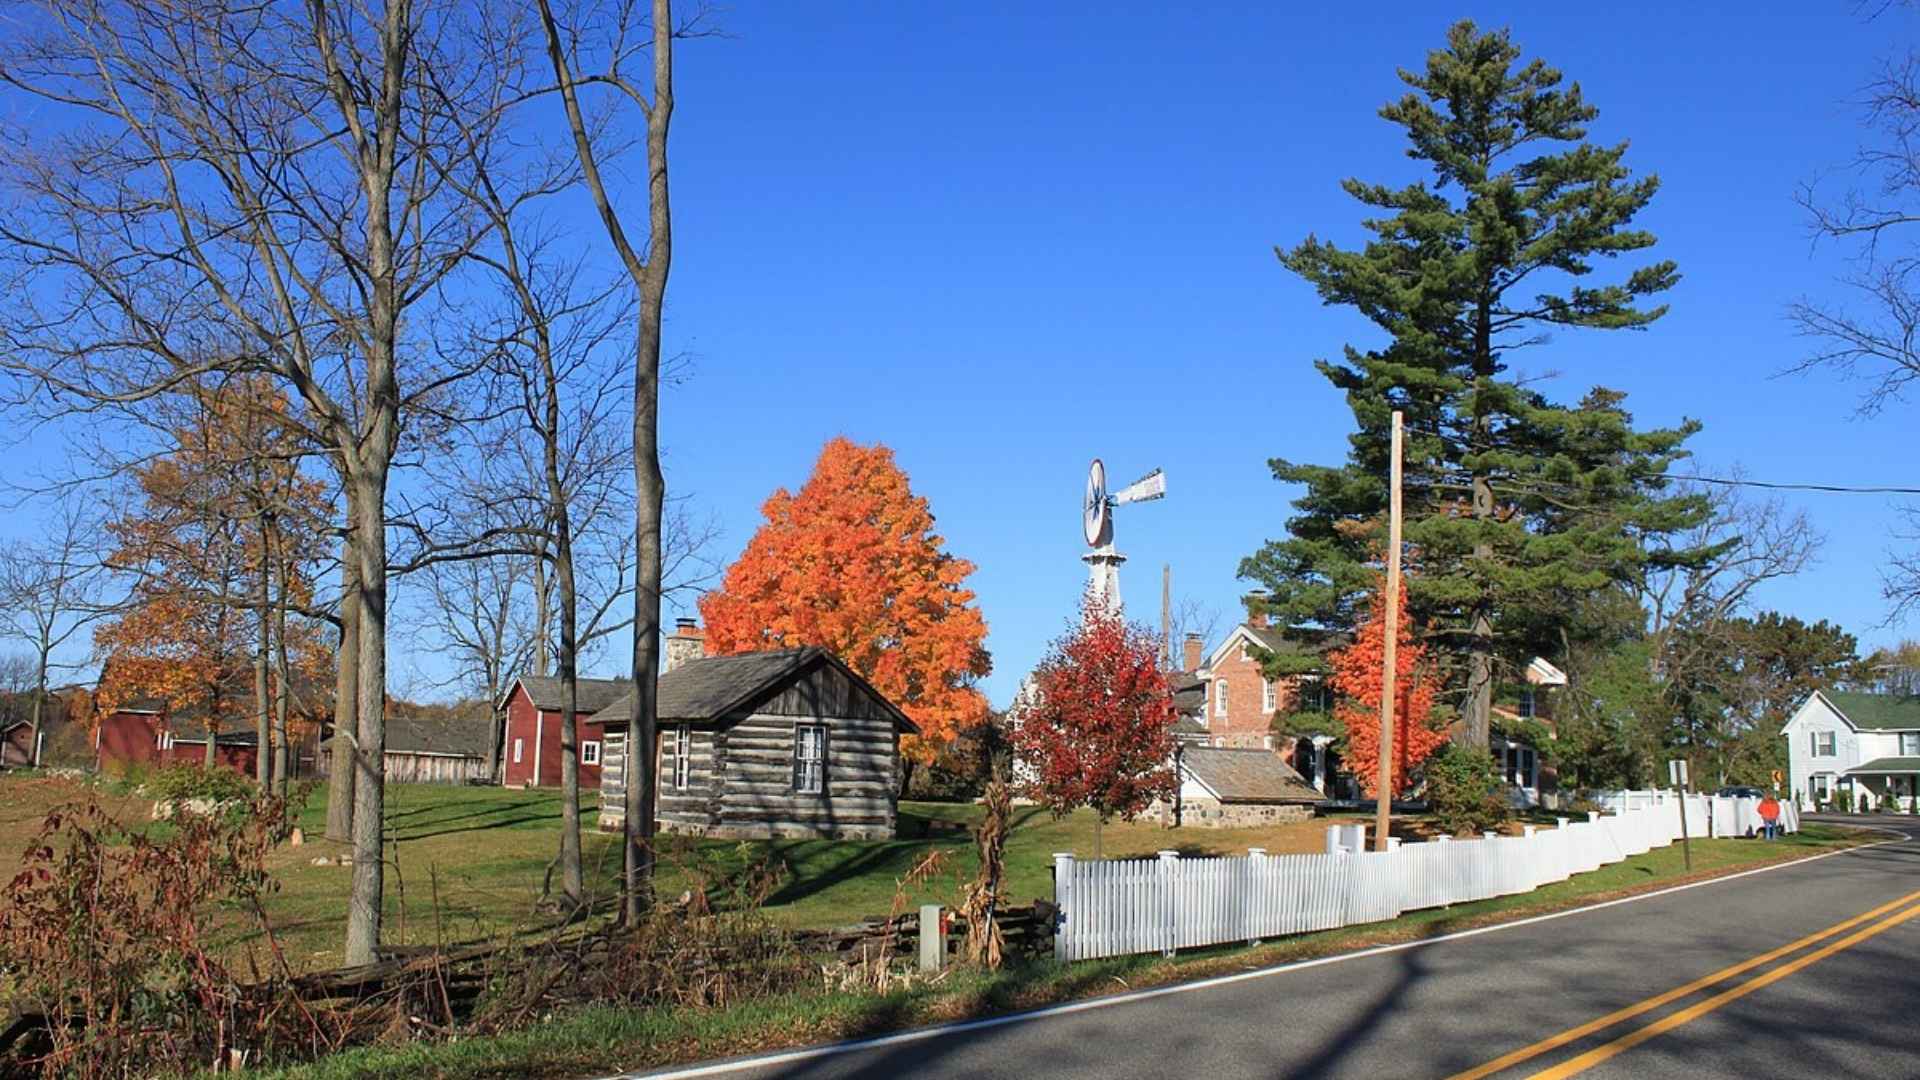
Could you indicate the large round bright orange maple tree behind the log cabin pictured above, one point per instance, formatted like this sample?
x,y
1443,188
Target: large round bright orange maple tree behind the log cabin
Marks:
x,y
852,564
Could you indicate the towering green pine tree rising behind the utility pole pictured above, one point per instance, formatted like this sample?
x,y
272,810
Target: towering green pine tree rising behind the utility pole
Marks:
x,y
1512,503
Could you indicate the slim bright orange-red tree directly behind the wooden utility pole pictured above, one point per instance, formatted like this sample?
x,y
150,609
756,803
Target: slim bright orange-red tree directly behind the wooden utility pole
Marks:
x,y
1358,674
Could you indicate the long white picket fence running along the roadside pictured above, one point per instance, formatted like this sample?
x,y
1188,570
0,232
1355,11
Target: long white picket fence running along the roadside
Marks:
x,y
1166,904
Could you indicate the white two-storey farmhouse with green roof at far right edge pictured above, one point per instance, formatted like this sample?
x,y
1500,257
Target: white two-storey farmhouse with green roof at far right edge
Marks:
x,y
1856,743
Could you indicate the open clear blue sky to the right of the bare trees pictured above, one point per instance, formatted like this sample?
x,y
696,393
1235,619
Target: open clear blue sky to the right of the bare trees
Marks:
x,y
1005,239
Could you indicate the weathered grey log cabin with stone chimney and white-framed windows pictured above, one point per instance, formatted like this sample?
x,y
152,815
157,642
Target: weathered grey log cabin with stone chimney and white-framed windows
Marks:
x,y
786,743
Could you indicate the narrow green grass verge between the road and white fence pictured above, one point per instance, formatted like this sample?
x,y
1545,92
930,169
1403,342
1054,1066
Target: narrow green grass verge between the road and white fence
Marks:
x,y
604,1039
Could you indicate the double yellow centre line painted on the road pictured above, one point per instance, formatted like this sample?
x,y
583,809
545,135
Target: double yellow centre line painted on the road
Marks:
x,y
1575,1066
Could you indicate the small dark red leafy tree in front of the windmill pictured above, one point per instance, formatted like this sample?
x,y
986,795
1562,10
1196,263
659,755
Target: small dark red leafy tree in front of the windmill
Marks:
x,y
1097,729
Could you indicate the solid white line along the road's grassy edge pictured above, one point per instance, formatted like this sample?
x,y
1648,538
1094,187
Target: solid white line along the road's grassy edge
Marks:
x,y
940,1031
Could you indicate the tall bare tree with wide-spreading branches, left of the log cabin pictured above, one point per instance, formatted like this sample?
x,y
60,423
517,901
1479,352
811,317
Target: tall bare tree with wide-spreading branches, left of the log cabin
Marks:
x,y
256,189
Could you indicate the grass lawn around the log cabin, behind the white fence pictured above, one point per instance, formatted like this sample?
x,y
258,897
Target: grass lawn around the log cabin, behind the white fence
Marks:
x,y
469,864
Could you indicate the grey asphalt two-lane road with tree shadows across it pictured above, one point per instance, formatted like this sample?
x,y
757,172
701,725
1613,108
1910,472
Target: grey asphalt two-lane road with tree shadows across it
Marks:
x,y
1846,1004
